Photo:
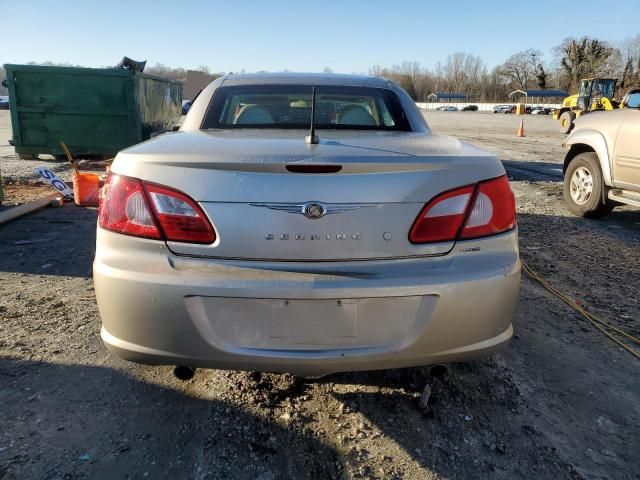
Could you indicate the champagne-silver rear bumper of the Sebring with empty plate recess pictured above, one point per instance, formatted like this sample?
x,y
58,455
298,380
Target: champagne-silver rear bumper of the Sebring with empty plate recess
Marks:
x,y
305,318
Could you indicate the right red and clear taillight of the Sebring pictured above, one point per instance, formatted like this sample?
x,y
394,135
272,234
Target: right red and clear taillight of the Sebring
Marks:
x,y
474,211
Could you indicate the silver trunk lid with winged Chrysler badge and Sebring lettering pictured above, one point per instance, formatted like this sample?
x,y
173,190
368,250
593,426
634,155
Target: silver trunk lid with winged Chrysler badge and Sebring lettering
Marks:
x,y
270,196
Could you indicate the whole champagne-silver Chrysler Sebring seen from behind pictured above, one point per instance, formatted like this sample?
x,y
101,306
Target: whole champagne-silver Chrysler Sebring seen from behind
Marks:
x,y
307,224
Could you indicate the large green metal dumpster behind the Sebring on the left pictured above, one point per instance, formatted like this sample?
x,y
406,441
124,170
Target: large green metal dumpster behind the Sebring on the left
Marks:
x,y
95,111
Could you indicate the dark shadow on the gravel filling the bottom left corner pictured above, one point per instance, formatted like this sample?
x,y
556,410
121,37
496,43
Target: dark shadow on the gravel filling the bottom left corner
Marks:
x,y
77,421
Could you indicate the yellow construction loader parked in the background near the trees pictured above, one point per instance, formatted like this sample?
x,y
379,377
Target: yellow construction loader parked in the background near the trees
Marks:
x,y
595,94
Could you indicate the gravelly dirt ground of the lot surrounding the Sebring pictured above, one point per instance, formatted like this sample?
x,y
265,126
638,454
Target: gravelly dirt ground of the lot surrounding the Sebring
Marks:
x,y
562,402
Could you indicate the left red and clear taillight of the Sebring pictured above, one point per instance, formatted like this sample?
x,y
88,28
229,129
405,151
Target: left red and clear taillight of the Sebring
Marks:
x,y
134,207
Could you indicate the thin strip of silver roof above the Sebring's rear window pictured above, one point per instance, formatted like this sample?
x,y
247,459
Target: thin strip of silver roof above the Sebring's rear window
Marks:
x,y
288,78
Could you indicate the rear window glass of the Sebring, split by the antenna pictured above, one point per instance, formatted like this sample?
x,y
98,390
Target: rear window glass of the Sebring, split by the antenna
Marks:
x,y
289,106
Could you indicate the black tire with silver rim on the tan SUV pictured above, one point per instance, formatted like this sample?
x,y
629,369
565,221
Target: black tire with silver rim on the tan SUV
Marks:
x,y
584,191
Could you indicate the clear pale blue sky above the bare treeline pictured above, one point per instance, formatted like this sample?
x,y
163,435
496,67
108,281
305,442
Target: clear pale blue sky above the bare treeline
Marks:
x,y
347,36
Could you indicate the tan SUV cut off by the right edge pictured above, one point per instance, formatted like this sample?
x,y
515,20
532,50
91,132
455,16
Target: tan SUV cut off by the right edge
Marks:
x,y
602,168
